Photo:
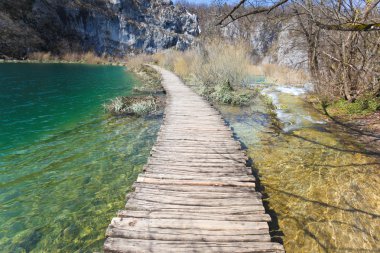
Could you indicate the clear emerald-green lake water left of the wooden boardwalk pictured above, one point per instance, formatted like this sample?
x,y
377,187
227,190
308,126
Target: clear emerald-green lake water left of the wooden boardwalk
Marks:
x,y
65,166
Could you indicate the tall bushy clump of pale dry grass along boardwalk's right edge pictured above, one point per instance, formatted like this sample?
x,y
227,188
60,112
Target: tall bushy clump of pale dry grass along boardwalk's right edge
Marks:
x,y
217,71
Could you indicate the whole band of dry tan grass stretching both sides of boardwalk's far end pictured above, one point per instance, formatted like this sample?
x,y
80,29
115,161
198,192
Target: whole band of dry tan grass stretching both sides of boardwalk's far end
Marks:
x,y
220,70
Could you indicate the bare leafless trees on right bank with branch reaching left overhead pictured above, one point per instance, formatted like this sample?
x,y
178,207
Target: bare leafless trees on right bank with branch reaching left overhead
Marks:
x,y
343,40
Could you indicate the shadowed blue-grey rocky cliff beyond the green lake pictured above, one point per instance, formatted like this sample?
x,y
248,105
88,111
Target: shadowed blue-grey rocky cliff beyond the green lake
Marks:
x,y
114,27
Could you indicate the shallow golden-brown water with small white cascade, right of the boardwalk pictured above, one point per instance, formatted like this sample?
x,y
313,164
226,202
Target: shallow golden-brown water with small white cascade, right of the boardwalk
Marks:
x,y
323,188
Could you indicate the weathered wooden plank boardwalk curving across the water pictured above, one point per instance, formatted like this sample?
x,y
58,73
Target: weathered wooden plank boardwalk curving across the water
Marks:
x,y
196,194
